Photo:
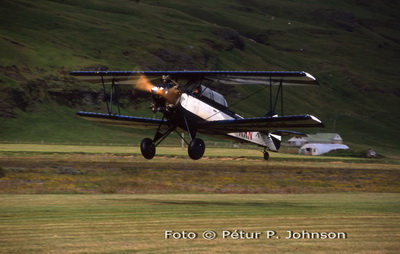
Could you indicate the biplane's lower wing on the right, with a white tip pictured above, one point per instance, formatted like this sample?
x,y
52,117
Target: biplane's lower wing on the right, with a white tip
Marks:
x,y
260,124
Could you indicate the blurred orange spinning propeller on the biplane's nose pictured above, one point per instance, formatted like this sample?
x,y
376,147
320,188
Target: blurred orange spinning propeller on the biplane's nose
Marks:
x,y
170,94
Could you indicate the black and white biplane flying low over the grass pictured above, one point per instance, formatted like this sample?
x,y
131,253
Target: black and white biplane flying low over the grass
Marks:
x,y
188,104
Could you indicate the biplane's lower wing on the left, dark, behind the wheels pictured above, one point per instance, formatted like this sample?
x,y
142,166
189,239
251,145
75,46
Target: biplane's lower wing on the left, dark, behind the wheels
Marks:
x,y
125,121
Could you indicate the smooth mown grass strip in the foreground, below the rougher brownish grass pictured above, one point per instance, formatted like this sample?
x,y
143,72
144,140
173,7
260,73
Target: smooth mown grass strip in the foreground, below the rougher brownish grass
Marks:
x,y
138,223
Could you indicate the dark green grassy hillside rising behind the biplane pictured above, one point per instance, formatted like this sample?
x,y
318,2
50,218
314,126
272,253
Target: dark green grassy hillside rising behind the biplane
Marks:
x,y
352,47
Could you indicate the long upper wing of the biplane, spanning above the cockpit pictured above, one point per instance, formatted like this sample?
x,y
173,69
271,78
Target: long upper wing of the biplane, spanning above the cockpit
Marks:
x,y
300,78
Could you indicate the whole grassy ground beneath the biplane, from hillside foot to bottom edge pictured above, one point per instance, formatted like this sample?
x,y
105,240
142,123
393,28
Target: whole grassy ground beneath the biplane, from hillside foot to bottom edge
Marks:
x,y
108,199
